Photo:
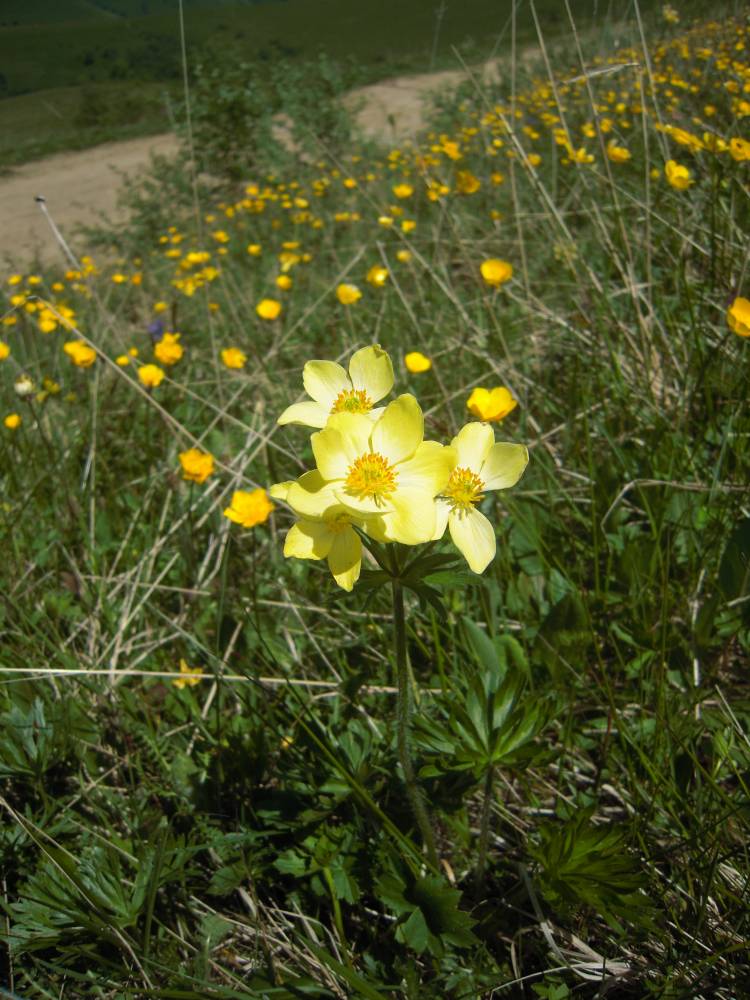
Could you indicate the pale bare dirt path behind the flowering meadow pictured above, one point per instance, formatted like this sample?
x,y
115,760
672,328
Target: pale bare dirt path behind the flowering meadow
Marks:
x,y
79,187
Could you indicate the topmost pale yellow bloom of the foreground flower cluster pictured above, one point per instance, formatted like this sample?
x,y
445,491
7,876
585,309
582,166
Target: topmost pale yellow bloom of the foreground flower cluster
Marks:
x,y
332,390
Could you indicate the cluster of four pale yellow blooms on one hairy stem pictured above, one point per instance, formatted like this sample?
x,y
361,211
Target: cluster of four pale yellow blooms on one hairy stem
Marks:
x,y
376,474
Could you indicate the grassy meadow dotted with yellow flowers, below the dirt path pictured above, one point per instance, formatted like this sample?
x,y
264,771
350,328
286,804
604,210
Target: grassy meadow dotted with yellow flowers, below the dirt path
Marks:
x,y
376,590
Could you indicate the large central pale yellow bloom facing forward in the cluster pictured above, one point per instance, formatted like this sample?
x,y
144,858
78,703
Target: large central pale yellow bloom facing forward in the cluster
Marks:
x,y
382,472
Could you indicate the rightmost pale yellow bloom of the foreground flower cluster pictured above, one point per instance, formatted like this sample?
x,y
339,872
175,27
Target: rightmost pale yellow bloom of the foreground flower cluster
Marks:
x,y
481,465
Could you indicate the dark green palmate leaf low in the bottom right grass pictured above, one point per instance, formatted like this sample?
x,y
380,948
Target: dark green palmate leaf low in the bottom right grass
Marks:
x,y
583,863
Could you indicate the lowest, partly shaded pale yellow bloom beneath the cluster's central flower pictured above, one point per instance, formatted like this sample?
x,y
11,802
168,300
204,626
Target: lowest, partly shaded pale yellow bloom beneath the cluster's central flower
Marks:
x,y
329,535
